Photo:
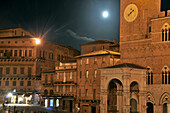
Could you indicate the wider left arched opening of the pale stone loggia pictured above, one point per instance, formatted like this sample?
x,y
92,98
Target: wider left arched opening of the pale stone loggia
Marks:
x,y
114,91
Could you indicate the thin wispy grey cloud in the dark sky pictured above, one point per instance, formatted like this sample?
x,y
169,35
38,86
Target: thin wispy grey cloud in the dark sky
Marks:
x,y
74,35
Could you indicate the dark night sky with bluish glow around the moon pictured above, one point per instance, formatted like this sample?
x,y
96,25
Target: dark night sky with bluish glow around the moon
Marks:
x,y
68,22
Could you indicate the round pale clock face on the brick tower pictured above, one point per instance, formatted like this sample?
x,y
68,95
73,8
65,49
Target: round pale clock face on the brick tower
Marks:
x,y
131,12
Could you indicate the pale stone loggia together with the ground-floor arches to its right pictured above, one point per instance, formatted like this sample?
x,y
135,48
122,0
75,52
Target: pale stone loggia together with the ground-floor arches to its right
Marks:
x,y
124,90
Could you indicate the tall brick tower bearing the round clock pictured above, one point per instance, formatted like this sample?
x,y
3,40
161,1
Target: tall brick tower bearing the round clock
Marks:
x,y
135,26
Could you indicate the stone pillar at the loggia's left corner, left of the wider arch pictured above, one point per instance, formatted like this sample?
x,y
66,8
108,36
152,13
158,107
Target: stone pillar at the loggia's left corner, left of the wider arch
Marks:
x,y
103,99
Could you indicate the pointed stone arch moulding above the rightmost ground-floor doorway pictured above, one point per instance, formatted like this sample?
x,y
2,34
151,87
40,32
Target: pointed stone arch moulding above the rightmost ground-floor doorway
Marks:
x,y
165,98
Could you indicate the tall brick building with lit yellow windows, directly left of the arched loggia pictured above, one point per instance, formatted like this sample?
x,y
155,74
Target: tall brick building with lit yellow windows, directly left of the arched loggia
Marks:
x,y
88,75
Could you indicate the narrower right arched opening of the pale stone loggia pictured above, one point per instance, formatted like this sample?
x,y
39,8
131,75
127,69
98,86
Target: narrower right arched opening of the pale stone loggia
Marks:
x,y
134,95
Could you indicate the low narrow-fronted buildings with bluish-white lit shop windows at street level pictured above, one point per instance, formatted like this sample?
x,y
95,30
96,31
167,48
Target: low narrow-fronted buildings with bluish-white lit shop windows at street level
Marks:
x,y
59,87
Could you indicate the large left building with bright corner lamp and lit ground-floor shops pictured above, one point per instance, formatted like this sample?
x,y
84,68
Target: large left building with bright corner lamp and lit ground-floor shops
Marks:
x,y
22,59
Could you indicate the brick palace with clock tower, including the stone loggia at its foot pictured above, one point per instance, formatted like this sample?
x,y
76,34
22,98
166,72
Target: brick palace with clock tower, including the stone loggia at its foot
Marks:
x,y
144,41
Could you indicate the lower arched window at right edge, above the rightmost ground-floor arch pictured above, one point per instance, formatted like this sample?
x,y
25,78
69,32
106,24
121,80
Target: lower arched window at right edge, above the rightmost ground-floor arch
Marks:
x,y
165,75
